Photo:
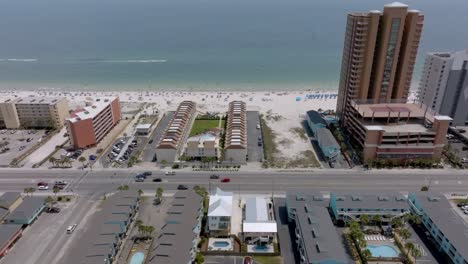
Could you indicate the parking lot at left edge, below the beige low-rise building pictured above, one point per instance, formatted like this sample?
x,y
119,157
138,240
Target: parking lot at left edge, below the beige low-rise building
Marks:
x,y
16,142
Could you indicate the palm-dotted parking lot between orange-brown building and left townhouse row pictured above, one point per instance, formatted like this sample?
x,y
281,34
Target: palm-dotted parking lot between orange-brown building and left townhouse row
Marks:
x,y
122,151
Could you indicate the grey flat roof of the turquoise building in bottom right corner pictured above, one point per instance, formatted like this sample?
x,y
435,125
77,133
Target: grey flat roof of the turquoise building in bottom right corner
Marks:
x,y
439,210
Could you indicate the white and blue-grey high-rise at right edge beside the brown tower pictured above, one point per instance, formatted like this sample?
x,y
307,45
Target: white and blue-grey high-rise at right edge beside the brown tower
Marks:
x,y
444,85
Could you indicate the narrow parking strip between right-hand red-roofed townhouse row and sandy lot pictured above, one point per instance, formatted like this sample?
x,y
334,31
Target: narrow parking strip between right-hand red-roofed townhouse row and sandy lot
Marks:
x,y
254,137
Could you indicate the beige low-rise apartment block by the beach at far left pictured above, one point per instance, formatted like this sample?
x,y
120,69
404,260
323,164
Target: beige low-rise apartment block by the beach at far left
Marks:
x,y
33,112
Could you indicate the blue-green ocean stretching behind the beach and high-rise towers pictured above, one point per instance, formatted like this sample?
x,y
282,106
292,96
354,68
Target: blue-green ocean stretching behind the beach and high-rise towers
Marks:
x,y
194,45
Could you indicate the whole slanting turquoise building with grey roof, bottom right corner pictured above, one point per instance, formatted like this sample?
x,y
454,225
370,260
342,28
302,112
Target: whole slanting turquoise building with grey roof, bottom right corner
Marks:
x,y
446,228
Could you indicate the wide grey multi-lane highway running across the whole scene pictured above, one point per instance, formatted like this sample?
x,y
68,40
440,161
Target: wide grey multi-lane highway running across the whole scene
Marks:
x,y
100,182
